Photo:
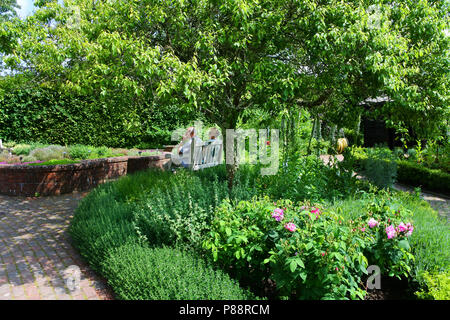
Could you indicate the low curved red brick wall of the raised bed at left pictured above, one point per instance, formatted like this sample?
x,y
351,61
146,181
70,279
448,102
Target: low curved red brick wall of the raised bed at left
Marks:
x,y
25,180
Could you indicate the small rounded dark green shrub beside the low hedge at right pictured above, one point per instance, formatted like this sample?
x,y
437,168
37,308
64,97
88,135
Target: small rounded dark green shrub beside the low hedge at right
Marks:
x,y
380,167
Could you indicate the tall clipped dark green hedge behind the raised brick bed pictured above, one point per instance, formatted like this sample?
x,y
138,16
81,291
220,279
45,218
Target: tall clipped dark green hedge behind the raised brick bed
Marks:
x,y
47,116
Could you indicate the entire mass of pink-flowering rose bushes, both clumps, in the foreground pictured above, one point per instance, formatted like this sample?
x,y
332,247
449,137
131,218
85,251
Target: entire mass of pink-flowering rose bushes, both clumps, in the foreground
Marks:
x,y
309,252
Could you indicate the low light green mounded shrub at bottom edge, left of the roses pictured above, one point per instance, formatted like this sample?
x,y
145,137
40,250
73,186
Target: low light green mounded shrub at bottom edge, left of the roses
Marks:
x,y
140,273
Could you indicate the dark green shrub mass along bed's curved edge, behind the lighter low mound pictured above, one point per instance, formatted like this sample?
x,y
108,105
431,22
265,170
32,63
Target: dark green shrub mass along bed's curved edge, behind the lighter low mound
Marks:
x,y
160,206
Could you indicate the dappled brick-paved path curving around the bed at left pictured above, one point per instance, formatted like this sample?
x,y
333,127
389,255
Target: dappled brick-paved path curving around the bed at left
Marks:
x,y
36,258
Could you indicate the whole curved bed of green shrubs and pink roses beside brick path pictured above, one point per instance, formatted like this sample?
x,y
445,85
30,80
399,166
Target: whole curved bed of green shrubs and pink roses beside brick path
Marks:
x,y
121,226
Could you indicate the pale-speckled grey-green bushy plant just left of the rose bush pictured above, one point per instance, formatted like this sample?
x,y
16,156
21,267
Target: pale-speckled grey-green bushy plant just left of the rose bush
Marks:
x,y
178,209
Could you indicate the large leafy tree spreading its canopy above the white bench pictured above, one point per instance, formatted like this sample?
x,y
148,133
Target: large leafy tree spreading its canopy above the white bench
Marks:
x,y
227,56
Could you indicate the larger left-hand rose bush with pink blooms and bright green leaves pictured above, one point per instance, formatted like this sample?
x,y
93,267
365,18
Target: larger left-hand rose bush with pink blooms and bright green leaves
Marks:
x,y
309,252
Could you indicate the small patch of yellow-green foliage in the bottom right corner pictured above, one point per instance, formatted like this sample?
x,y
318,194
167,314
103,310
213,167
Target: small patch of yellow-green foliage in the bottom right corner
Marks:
x,y
438,286
